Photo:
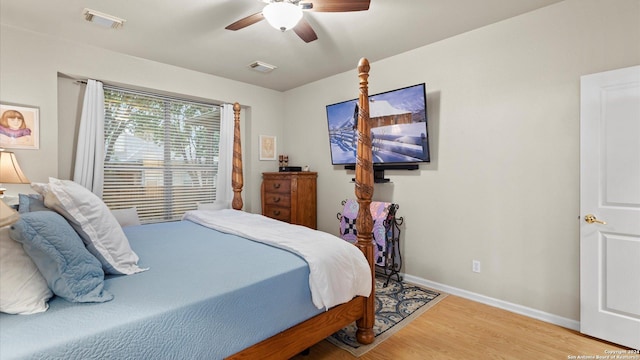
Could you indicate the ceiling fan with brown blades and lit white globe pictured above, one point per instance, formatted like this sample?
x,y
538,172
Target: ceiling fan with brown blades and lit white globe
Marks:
x,y
287,14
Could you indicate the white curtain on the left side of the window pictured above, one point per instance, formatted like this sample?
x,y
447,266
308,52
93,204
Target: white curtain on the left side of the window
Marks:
x,y
89,168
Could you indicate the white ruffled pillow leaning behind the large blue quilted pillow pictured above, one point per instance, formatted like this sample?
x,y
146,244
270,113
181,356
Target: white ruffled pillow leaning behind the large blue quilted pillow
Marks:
x,y
95,224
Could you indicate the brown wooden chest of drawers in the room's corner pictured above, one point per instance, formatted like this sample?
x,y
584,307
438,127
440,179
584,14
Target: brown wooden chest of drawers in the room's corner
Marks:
x,y
290,197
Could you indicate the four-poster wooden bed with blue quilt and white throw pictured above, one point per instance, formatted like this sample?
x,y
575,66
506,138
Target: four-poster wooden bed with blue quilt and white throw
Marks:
x,y
223,291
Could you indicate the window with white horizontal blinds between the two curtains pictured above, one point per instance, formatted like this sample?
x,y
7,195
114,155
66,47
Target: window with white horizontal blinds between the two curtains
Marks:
x,y
161,153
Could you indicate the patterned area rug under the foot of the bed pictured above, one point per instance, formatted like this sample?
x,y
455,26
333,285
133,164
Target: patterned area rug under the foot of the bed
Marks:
x,y
396,305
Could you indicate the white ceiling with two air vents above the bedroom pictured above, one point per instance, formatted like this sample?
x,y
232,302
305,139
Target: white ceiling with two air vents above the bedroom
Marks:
x,y
191,34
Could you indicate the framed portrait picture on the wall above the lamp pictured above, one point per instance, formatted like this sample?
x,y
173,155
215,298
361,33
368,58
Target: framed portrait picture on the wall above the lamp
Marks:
x,y
19,126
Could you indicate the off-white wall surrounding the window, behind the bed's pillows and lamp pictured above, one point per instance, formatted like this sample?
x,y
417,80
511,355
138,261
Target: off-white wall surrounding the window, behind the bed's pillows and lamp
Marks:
x,y
29,67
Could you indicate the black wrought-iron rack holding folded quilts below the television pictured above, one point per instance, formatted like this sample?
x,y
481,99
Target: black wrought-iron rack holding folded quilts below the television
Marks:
x,y
393,256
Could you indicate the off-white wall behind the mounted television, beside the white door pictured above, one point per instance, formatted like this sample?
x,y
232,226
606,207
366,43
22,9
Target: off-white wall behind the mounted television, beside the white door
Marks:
x,y
503,186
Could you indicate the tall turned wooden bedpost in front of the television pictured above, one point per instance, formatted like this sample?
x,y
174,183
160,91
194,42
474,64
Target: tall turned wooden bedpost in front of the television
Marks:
x,y
364,193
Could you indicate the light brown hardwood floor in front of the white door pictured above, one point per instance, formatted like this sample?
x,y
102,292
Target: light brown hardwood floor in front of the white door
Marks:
x,y
458,328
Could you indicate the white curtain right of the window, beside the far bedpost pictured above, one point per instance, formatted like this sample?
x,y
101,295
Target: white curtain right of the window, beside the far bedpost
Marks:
x,y
224,192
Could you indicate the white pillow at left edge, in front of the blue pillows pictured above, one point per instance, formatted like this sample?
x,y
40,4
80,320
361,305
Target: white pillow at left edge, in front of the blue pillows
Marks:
x,y
23,290
